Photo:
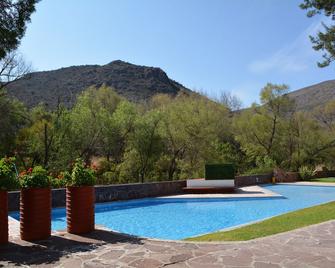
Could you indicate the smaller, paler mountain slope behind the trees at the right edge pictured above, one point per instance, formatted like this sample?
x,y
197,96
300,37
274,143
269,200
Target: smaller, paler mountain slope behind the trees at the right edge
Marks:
x,y
310,97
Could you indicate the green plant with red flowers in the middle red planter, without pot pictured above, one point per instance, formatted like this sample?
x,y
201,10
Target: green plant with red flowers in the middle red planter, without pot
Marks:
x,y
36,177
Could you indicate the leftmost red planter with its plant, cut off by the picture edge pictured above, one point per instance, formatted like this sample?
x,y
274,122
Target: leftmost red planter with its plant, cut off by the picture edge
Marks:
x,y
8,181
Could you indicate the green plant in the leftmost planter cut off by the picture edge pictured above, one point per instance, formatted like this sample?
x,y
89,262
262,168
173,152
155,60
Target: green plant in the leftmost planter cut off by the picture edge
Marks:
x,y
8,178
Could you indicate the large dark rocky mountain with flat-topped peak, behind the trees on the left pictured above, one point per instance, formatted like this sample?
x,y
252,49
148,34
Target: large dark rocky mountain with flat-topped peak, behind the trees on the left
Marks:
x,y
134,82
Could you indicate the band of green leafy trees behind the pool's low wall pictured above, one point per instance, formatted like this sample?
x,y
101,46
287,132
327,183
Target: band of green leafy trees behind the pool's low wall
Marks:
x,y
168,138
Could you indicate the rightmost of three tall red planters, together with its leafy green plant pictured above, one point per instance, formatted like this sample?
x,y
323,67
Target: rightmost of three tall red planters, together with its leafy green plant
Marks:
x,y
80,199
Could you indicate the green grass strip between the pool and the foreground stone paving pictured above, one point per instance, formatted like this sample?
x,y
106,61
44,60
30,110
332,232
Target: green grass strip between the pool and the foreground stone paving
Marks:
x,y
275,225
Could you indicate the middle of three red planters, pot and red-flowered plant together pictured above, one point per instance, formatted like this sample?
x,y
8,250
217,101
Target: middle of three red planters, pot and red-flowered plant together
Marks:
x,y
35,204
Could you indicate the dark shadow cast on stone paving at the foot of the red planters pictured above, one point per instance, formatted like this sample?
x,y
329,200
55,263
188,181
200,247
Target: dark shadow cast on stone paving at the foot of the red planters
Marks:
x,y
49,251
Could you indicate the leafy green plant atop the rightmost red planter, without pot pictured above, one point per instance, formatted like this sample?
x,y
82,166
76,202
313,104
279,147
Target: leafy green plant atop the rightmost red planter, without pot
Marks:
x,y
81,176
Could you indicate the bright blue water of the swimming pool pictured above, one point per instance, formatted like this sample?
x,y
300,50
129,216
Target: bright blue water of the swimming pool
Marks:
x,y
177,218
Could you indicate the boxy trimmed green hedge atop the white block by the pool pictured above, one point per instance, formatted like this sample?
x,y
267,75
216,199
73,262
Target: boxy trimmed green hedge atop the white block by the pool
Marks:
x,y
219,172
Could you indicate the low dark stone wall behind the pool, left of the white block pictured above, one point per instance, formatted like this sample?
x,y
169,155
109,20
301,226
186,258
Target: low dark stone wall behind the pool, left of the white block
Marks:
x,y
109,193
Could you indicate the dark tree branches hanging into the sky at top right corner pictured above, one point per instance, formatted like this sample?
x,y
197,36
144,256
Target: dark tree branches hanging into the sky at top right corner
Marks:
x,y
324,41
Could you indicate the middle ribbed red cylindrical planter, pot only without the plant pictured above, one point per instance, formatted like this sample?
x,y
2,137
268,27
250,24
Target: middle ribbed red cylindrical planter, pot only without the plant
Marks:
x,y
35,214
